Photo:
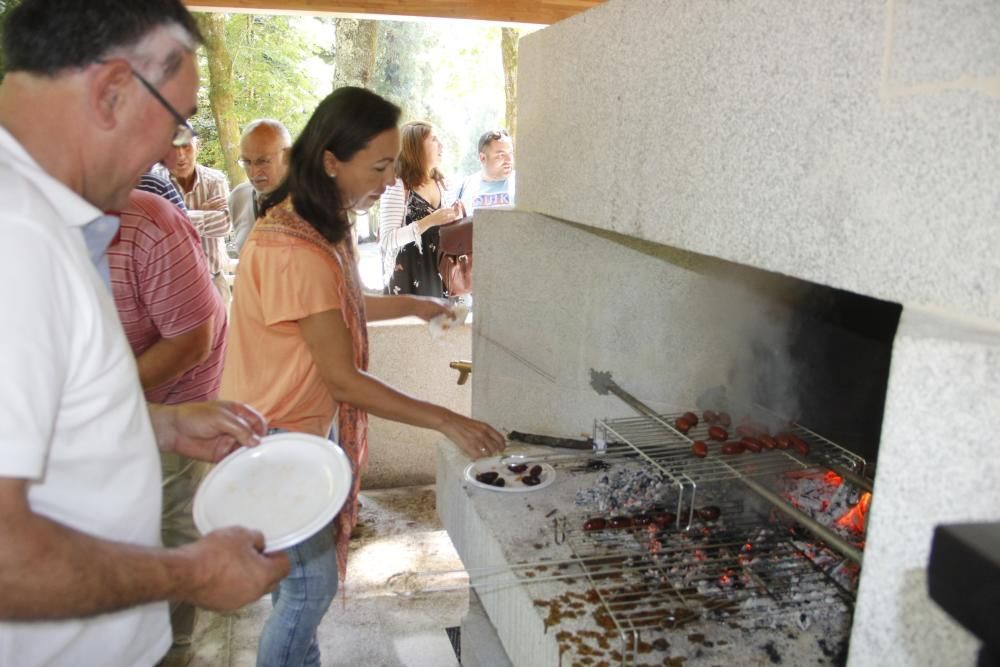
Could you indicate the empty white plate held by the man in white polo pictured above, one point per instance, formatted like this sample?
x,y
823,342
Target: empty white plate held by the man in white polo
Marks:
x,y
288,487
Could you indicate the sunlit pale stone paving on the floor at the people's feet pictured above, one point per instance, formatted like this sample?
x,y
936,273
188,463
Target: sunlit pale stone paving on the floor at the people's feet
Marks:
x,y
372,626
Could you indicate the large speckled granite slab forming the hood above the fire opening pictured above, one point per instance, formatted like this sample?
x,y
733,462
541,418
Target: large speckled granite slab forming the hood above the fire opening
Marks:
x,y
854,144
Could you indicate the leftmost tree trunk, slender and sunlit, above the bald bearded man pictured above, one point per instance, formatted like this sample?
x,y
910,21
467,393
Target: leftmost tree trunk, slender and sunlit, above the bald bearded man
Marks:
x,y
220,91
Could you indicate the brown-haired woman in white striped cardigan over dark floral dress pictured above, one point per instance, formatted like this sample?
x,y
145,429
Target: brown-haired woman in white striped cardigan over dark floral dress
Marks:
x,y
411,212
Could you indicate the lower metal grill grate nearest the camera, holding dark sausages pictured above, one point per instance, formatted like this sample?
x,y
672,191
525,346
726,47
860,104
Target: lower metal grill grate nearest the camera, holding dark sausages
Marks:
x,y
649,580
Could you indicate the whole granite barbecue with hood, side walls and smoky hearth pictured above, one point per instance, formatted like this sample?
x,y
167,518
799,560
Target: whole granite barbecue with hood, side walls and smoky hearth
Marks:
x,y
797,203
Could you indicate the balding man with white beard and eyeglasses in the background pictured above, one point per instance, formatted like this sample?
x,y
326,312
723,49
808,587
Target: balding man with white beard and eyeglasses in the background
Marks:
x,y
264,150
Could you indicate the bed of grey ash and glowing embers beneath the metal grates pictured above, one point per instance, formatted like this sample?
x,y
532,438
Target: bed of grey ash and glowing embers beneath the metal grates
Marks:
x,y
739,589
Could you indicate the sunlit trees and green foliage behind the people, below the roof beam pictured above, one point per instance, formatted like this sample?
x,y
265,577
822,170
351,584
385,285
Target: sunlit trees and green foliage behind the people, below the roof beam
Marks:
x,y
449,72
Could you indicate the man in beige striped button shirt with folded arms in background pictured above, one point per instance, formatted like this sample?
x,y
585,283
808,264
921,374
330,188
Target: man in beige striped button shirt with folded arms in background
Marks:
x,y
206,194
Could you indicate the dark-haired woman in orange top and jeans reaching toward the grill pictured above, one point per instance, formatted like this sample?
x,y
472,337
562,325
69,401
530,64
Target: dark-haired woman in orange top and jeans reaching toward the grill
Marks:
x,y
298,347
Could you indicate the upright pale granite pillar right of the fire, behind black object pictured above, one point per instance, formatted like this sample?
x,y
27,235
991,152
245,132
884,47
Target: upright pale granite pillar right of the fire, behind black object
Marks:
x,y
937,464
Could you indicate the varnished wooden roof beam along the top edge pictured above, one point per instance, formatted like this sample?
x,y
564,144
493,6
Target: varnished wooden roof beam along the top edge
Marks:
x,y
507,11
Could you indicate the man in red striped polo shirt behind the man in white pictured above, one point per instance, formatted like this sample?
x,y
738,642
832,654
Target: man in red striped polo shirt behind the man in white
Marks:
x,y
176,324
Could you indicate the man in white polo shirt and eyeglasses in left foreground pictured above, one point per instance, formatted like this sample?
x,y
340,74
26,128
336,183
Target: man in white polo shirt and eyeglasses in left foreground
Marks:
x,y
84,578
